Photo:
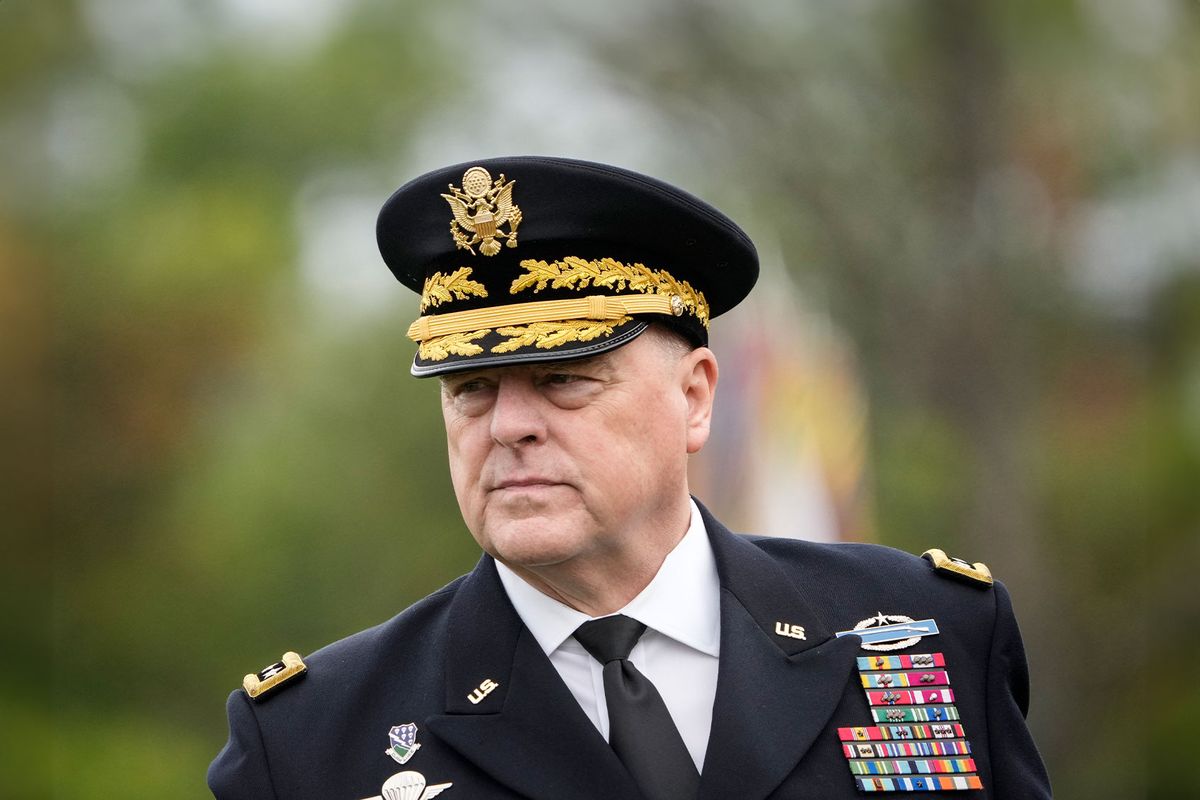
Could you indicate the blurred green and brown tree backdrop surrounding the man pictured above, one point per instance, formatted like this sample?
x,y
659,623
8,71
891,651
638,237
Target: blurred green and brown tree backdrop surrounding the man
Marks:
x,y
213,452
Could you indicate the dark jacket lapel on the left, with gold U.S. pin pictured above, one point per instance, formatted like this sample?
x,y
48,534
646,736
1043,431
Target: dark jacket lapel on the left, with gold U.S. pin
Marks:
x,y
529,733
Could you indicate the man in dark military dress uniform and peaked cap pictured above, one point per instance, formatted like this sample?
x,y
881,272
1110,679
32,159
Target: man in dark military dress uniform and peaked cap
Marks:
x,y
616,641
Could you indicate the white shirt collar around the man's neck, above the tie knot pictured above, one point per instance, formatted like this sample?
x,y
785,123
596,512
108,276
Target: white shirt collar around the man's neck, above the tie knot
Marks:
x,y
683,601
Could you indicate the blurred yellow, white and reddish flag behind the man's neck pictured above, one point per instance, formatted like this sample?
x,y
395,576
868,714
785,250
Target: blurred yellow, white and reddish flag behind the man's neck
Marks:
x,y
788,452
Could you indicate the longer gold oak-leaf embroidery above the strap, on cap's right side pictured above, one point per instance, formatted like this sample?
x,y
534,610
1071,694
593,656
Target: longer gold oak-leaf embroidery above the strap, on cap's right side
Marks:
x,y
575,273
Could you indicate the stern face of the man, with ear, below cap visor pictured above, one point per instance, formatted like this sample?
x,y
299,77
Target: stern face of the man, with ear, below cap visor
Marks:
x,y
580,461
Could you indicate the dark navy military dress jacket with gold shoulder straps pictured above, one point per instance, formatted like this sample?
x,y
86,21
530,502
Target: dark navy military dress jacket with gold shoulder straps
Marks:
x,y
779,700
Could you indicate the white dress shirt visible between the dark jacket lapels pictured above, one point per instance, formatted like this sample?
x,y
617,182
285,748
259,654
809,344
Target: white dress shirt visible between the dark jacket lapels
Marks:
x,y
679,653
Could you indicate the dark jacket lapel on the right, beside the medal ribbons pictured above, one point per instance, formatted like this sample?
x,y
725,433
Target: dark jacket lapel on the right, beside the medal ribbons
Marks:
x,y
776,694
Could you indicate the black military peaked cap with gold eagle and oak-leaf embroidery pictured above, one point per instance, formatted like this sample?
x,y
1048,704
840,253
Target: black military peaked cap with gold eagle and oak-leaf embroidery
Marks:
x,y
531,258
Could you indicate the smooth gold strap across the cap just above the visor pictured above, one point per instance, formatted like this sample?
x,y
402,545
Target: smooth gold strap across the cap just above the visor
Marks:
x,y
547,311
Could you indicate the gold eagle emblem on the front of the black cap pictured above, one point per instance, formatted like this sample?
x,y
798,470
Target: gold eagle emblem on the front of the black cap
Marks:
x,y
482,209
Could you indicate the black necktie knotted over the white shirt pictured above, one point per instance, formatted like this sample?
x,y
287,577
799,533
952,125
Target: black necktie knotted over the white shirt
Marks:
x,y
640,727
